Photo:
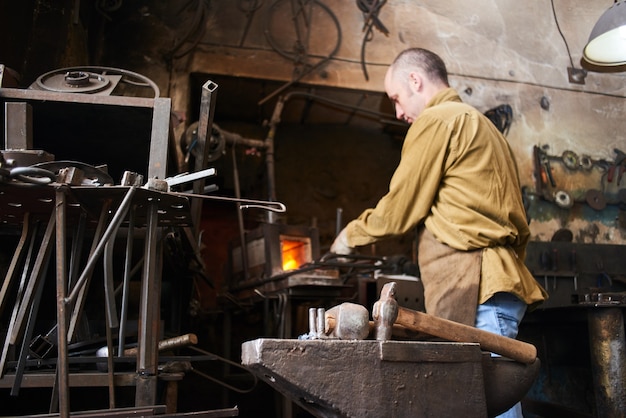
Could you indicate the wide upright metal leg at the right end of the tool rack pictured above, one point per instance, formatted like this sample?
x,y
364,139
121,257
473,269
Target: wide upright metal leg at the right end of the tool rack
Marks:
x,y
148,332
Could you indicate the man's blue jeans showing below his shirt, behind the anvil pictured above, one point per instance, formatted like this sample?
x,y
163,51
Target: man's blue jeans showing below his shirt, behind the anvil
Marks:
x,y
501,314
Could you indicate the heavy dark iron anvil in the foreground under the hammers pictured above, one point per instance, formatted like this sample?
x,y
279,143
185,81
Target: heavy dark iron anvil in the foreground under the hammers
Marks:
x,y
369,378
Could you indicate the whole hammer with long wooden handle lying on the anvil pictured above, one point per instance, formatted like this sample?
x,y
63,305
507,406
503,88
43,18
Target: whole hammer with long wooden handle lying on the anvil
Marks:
x,y
450,330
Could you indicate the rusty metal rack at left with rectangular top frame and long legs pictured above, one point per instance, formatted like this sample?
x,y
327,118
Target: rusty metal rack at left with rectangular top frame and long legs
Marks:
x,y
61,205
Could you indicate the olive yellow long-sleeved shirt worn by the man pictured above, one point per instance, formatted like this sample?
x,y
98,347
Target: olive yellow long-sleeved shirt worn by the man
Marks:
x,y
458,177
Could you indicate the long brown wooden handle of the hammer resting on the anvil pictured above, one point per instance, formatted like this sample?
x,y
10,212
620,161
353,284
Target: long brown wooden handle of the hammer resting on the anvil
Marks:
x,y
454,331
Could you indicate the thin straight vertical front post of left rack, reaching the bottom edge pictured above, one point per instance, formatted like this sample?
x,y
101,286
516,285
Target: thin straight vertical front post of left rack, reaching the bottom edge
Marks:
x,y
62,325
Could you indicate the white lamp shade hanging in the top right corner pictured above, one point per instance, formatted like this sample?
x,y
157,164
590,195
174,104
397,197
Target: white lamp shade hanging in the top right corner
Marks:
x,y
607,42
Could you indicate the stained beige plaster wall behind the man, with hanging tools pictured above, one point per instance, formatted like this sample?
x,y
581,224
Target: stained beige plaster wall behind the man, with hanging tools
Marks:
x,y
497,52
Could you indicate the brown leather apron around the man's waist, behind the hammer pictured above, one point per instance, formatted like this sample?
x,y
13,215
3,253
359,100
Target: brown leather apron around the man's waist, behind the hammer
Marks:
x,y
451,279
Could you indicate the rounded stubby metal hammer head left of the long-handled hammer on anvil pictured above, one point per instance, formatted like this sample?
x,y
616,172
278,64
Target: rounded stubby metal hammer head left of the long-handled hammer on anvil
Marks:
x,y
348,321
